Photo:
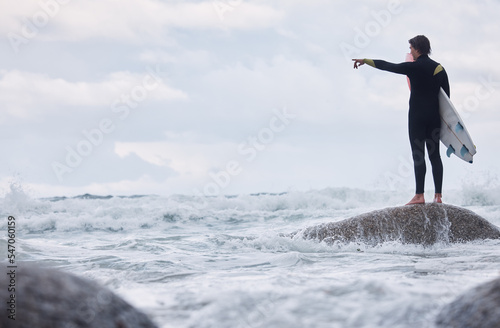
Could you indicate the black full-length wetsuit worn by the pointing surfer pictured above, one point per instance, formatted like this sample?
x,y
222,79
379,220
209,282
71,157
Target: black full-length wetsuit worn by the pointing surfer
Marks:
x,y
426,78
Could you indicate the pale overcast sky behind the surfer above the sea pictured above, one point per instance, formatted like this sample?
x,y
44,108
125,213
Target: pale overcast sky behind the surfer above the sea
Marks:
x,y
223,97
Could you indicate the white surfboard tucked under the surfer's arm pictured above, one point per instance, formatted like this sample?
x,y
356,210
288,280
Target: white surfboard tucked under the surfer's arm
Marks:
x,y
453,133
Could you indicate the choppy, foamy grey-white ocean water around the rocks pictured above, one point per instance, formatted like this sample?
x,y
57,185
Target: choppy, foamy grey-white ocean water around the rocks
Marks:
x,y
228,261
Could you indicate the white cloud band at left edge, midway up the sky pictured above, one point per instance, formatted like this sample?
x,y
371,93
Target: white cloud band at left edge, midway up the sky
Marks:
x,y
29,95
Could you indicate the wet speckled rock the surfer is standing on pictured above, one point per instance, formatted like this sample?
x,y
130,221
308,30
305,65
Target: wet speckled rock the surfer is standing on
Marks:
x,y
417,224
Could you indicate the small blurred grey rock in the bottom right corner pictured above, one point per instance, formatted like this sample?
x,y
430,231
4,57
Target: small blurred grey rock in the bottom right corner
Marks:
x,y
477,308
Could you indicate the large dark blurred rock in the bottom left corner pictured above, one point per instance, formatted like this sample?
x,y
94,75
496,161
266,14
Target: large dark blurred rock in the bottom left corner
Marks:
x,y
47,298
